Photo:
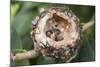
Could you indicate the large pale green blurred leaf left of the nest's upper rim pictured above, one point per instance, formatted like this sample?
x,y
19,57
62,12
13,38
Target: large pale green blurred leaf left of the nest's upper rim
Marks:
x,y
23,20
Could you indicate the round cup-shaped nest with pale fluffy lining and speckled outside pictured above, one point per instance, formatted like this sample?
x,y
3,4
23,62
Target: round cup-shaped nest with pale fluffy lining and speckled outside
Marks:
x,y
56,33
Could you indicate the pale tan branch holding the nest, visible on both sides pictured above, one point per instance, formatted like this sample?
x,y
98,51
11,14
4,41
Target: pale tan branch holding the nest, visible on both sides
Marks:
x,y
34,53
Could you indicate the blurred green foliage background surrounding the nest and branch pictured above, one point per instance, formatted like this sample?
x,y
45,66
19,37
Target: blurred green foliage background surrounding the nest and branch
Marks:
x,y
22,14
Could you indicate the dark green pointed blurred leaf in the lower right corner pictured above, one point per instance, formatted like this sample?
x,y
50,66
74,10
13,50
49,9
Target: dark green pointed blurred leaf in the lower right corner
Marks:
x,y
87,53
